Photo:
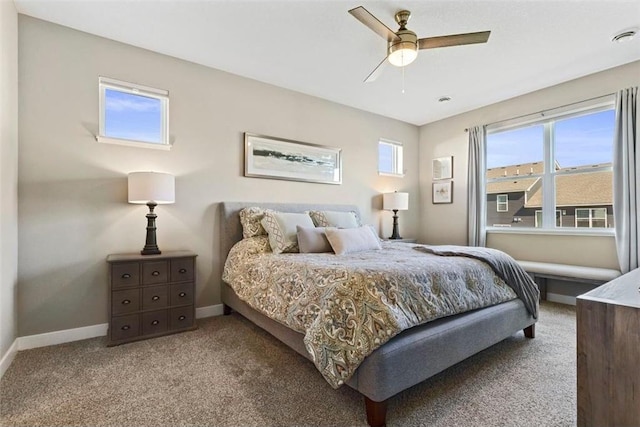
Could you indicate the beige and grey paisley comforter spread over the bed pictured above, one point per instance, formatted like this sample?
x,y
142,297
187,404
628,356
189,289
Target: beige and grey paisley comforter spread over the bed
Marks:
x,y
347,306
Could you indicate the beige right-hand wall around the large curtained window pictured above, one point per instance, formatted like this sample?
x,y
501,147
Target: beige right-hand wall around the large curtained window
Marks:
x,y
447,224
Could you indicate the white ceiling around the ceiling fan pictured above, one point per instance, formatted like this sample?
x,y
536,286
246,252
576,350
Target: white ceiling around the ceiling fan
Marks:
x,y
317,48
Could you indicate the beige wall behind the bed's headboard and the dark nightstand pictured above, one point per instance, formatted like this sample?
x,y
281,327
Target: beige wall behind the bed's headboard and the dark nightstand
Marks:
x,y
72,190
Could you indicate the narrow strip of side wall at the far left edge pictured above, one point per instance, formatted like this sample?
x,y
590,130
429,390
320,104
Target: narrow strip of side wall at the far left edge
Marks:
x,y
8,174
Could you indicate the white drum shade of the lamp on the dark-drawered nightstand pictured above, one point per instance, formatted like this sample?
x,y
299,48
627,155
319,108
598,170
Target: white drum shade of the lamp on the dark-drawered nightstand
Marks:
x,y
145,187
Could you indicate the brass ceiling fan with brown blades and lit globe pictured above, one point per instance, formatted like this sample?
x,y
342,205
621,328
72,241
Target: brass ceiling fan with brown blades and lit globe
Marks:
x,y
403,45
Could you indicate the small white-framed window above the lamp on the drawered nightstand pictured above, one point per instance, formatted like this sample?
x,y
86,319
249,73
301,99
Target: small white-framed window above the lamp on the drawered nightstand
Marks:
x,y
133,114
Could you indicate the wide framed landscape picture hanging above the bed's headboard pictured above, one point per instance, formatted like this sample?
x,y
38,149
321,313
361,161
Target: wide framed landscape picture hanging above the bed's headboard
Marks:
x,y
279,158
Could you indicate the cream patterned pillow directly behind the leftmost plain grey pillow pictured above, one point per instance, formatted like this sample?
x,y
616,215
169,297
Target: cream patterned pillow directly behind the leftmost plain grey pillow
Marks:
x,y
281,228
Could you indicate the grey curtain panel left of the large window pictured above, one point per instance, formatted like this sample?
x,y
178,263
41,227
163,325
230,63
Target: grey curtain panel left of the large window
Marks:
x,y
476,196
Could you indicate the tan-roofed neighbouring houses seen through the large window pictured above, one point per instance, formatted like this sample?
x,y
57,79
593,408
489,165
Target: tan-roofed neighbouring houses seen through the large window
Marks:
x,y
584,198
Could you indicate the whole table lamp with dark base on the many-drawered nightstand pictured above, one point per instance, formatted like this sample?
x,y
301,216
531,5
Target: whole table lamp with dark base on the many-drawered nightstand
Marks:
x,y
152,189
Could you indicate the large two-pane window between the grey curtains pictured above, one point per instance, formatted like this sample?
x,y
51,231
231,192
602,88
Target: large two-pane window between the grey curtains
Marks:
x,y
555,170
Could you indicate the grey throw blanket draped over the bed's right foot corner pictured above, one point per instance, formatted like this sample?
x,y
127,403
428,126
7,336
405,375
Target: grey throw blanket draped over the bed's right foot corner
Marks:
x,y
505,267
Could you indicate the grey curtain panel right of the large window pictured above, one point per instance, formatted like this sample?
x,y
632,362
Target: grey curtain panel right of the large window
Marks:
x,y
626,179
